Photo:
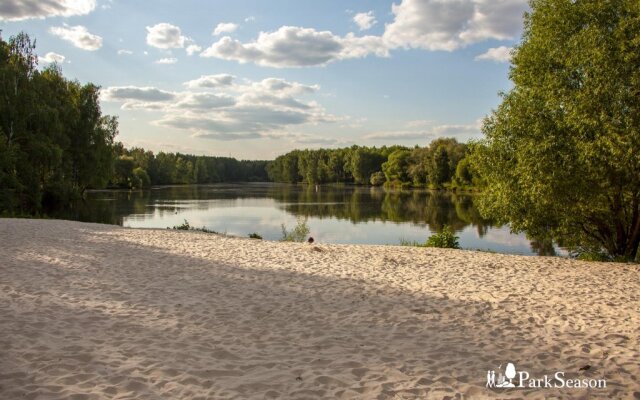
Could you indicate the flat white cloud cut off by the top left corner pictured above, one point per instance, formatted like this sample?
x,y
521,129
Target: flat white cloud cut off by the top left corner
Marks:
x,y
18,10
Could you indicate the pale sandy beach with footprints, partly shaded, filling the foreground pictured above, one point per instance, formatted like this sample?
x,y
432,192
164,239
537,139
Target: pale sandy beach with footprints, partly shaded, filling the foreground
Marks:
x,y
93,311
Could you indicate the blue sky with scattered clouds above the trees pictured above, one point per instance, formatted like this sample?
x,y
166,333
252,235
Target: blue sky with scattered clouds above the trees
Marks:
x,y
254,79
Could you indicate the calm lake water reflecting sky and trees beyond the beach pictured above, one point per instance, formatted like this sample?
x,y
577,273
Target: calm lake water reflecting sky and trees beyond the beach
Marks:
x,y
335,214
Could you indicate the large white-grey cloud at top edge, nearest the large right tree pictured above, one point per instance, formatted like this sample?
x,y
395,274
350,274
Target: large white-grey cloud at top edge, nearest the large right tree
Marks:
x,y
449,25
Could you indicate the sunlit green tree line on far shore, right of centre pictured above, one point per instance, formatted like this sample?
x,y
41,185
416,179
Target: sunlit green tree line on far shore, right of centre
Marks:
x,y
442,164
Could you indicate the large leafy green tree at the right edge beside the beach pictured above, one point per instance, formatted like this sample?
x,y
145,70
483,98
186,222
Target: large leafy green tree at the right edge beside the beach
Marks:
x,y
561,154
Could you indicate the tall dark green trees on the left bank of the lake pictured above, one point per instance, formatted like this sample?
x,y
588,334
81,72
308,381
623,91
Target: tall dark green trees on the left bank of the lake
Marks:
x,y
54,140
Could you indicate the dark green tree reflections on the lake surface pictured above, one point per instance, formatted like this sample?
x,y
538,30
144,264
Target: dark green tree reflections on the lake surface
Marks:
x,y
357,204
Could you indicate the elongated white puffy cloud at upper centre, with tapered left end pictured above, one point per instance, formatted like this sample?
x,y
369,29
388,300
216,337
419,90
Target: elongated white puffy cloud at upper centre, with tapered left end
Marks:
x,y
292,46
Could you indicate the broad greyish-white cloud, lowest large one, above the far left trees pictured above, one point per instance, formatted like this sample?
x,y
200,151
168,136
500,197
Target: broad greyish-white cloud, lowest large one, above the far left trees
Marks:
x,y
233,111
